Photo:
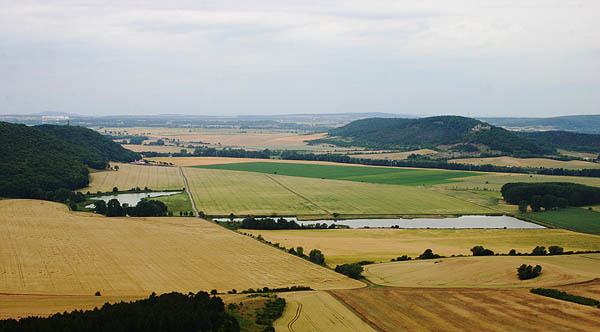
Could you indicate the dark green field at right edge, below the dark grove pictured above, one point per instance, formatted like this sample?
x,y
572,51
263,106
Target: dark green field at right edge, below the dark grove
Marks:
x,y
575,219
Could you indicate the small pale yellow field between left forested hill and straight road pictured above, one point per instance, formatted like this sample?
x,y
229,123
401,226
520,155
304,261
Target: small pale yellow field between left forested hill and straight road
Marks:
x,y
129,176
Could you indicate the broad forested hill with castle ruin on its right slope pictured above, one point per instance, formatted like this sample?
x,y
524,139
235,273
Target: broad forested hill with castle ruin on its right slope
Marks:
x,y
377,133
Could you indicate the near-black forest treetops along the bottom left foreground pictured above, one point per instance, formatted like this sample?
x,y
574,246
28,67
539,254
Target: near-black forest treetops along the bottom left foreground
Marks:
x,y
173,312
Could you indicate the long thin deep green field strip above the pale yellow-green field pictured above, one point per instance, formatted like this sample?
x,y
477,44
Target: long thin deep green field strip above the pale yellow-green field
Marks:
x,y
402,176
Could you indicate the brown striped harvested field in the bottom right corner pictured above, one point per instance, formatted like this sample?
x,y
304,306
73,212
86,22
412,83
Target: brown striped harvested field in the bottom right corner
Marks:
x,y
417,309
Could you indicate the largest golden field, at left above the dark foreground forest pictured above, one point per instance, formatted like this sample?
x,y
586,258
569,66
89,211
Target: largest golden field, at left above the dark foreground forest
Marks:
x,y
48,250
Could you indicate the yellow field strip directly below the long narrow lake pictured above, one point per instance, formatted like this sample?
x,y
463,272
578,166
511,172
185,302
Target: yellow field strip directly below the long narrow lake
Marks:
x,y
380,245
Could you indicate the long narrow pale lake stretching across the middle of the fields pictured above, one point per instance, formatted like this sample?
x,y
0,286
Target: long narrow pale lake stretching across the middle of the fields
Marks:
x,y
423,223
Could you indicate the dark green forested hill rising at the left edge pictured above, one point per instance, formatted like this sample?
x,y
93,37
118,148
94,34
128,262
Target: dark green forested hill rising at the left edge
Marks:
x,y
42,159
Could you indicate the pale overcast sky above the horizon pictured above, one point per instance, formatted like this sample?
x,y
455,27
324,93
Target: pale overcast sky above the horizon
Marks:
x,y
473,58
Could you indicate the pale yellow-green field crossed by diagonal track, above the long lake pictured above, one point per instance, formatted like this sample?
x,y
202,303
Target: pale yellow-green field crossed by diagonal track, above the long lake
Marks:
x,y
220,192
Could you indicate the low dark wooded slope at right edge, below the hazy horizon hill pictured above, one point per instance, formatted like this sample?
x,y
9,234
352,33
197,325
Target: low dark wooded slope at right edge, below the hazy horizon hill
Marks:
x,y
565,140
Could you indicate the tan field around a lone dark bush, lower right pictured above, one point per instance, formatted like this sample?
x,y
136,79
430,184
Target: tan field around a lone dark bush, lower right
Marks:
x,y
485,272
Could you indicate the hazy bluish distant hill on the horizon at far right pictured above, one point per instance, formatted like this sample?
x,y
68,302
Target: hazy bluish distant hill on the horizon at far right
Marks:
x,y
589,124
